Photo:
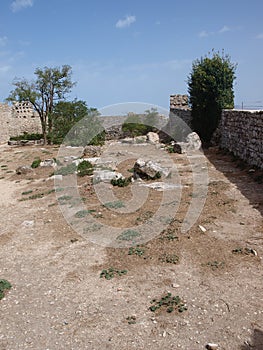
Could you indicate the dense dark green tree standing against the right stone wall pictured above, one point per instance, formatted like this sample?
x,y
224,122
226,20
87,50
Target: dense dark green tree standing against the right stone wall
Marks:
x,y
210,86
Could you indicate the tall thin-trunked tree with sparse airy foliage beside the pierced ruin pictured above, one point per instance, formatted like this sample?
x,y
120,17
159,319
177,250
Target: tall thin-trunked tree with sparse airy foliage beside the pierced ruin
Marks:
x,y
50,86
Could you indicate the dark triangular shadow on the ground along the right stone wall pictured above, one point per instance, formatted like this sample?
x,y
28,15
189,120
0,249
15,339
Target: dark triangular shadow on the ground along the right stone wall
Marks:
x,y
248,180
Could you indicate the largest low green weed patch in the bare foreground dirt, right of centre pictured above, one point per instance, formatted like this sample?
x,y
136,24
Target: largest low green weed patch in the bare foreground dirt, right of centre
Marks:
x,y
169,303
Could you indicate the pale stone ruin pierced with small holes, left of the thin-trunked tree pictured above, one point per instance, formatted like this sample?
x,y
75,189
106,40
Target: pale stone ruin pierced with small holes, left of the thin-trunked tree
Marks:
x,y
17,119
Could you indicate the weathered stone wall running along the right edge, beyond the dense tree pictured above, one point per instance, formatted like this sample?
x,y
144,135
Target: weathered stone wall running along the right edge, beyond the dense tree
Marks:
x,y
242,134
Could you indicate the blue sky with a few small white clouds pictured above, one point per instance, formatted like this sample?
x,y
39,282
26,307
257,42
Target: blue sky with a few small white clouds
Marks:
x,y
131,50
